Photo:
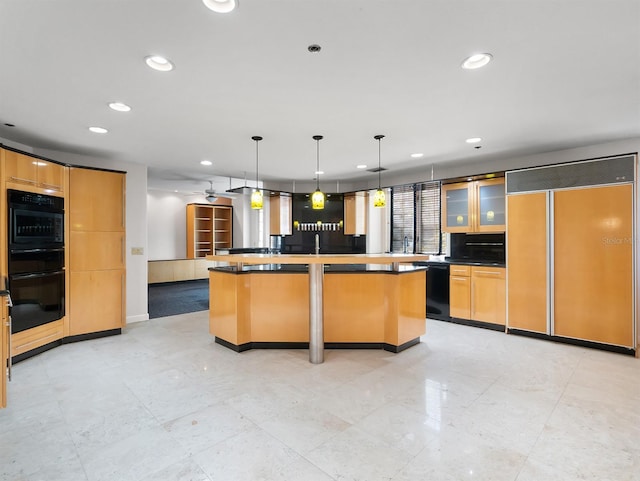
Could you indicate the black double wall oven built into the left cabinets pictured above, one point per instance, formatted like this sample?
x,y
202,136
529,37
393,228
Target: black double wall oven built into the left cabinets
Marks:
x,y
36,259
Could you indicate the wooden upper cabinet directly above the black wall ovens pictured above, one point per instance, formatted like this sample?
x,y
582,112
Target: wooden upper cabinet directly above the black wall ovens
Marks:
x,y
25,171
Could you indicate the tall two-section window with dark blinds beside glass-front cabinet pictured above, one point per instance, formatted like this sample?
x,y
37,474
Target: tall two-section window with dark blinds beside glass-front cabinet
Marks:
x,y
415,218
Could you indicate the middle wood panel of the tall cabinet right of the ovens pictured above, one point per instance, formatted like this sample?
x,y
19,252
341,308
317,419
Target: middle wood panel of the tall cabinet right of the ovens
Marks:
x,y
96,251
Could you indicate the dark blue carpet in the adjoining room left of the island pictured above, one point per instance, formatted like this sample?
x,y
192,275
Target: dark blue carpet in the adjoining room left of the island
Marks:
x,y
171,298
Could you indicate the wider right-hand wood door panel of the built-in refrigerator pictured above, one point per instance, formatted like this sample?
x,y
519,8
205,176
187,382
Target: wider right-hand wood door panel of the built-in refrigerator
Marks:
x,y
593,278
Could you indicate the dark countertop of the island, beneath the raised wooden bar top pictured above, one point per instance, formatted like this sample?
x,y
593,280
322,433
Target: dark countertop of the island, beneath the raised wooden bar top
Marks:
x,y
328,268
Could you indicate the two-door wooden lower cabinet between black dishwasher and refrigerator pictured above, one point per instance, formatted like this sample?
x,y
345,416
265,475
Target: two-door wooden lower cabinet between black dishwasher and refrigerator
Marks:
x,y
478,293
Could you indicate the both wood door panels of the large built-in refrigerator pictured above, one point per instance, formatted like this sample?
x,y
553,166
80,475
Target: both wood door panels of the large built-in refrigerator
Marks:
x,y
570,261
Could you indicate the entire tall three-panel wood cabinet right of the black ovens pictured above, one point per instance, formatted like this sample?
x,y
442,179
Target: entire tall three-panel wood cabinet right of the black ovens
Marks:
x,y
97,251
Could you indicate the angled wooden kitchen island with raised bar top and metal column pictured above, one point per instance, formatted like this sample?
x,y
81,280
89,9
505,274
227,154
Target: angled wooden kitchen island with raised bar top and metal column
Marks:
x,y
298,301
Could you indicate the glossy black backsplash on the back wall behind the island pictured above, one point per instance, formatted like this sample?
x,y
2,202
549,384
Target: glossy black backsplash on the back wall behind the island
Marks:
x,y
331,242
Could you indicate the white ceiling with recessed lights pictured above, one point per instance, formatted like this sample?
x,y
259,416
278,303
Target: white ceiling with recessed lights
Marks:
x,y
565,73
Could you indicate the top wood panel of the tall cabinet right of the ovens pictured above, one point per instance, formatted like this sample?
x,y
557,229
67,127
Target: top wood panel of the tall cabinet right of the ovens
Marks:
x,y
96,200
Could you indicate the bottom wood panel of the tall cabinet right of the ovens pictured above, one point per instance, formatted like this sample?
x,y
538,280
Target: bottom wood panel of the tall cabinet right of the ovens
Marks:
x,y
98,301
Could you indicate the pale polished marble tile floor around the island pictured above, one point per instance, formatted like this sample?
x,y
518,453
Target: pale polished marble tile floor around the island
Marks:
x,y
164,402
